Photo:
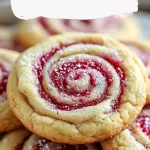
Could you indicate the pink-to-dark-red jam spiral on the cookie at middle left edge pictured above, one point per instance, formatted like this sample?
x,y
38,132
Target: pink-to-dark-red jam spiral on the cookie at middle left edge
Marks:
x,y
3,79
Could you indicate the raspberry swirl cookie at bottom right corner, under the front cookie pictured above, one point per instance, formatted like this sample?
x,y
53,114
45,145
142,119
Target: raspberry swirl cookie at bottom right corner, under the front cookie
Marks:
x,y
136,137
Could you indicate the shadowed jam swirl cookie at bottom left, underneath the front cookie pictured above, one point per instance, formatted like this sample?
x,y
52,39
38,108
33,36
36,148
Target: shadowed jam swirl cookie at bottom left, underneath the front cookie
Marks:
x,y
22,139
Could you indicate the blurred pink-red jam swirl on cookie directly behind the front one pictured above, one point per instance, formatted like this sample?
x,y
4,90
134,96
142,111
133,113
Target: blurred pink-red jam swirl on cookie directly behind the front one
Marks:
x,y
97,25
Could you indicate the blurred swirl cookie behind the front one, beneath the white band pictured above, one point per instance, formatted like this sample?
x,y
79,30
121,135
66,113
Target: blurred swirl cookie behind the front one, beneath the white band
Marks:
x,y
34,31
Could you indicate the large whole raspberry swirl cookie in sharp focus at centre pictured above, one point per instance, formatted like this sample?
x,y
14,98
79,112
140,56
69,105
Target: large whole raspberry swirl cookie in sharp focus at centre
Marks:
x,y
77,88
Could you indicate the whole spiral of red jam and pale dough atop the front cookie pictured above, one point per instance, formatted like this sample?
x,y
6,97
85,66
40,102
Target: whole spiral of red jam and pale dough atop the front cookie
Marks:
x,y
80,79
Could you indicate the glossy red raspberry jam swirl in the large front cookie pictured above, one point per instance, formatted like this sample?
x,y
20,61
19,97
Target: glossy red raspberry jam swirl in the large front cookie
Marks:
x,y
67,78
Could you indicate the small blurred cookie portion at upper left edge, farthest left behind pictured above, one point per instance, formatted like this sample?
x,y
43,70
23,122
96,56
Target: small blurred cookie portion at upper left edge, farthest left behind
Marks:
x,y
7,40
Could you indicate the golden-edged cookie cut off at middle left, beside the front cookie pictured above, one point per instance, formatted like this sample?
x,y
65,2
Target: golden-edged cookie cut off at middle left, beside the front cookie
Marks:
x,y
7,119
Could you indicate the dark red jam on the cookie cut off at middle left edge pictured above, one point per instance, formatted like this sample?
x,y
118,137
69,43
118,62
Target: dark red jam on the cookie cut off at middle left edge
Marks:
x,y
3,79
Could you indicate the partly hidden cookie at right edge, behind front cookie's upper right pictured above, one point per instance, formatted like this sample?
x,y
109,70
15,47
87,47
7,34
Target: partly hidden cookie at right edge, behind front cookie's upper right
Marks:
x,y
142,50
